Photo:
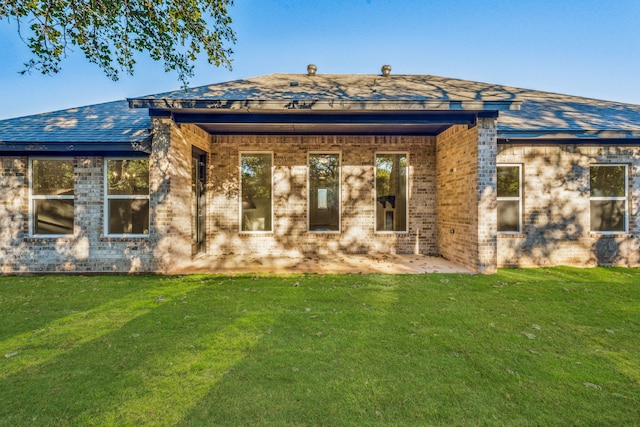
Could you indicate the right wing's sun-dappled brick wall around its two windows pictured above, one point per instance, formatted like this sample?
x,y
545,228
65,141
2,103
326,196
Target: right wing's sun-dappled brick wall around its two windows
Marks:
x,y
556,213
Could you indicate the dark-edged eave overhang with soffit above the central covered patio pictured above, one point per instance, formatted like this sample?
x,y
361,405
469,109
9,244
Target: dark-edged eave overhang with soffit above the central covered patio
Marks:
x,y
365,117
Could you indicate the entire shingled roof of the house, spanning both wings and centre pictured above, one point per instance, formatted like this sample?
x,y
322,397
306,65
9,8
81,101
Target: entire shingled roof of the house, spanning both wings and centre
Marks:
x,y
524,114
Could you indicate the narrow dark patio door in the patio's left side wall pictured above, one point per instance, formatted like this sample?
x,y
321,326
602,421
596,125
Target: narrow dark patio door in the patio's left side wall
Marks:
x,y
198,201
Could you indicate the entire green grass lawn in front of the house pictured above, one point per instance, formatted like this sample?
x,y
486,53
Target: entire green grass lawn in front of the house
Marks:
x,y
524,347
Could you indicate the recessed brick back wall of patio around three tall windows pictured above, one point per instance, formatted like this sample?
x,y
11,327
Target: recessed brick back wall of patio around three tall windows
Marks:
x,y
290,196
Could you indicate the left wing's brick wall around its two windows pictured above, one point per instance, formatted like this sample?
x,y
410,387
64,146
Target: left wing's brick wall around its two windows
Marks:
x,y
88,250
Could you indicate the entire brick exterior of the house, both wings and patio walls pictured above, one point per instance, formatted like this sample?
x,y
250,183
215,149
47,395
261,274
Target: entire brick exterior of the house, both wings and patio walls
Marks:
x,y
451,188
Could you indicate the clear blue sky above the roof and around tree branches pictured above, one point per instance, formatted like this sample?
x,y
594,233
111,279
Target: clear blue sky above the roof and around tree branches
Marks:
x,y
580,47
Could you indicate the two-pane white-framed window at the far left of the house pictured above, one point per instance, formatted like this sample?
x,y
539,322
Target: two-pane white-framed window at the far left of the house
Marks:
x,y
52,196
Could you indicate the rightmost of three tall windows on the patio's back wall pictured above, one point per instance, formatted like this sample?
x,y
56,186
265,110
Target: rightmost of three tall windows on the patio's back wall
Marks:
x,y
391,192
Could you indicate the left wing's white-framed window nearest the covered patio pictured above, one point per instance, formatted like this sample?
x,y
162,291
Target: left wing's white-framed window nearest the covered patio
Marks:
x,y
127,196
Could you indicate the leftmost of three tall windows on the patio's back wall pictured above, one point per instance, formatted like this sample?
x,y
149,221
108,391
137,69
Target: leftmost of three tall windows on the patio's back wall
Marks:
x,y
256,191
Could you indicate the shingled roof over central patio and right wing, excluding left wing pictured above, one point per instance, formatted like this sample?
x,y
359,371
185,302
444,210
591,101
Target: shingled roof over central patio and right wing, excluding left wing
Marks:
x,y
524,113
